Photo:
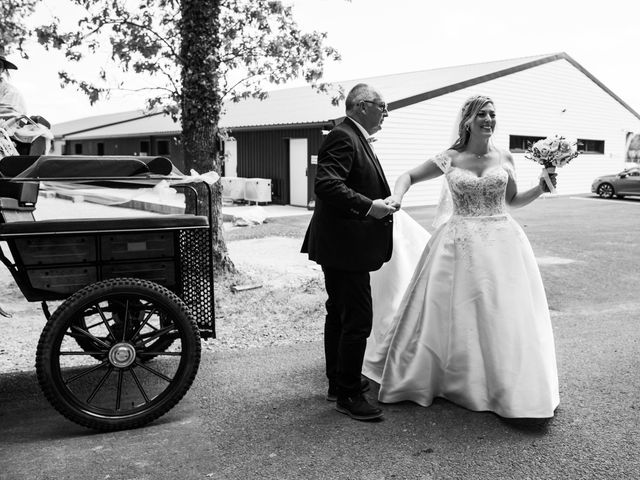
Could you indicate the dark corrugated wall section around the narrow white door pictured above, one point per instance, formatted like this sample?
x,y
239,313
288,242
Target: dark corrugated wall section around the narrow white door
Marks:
x,y
265,154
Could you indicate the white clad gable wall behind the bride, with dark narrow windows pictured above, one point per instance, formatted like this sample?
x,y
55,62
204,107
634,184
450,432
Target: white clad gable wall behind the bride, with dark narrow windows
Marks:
x,y
530,102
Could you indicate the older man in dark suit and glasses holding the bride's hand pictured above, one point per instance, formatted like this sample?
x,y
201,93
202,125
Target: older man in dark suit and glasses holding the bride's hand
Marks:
x,y
350,235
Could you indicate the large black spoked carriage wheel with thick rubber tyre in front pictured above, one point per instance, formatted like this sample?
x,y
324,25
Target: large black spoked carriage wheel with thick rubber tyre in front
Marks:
x,y
110,384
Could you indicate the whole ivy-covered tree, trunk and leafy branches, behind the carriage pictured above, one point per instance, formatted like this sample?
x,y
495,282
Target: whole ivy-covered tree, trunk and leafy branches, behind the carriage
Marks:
x,y
198,55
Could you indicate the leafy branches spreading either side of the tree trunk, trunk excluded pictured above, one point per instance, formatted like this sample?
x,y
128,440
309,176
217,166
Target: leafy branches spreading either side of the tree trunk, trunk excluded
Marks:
x,y
259,43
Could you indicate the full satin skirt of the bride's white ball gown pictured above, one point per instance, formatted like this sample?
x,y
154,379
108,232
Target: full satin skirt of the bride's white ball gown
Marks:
x,y
473,325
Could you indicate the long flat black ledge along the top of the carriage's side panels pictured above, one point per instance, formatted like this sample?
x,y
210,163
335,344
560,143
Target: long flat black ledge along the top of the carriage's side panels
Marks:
x,y
109,225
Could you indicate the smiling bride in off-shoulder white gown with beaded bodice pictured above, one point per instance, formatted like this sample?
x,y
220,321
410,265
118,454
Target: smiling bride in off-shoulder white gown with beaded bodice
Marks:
x,y
473,325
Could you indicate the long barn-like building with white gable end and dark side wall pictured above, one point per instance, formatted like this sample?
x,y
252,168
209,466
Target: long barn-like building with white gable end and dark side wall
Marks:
x,y
279,138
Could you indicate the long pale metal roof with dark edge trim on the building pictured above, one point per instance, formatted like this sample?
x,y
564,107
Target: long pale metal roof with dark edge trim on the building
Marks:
x,y
306,106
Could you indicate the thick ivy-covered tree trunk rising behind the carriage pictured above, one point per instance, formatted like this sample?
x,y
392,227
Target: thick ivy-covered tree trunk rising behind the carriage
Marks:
x,y
201,105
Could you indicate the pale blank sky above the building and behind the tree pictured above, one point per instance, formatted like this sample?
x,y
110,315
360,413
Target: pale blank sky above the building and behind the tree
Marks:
x,y
379,37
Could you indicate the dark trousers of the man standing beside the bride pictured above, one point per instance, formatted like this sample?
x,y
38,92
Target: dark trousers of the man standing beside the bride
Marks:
x,y
347,327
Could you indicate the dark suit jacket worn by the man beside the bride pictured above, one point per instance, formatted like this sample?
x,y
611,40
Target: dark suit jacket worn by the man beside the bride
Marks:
x,y
348,179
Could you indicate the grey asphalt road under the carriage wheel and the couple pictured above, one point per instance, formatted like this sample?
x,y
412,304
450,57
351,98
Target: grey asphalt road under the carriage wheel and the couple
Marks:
x,y
260,413
